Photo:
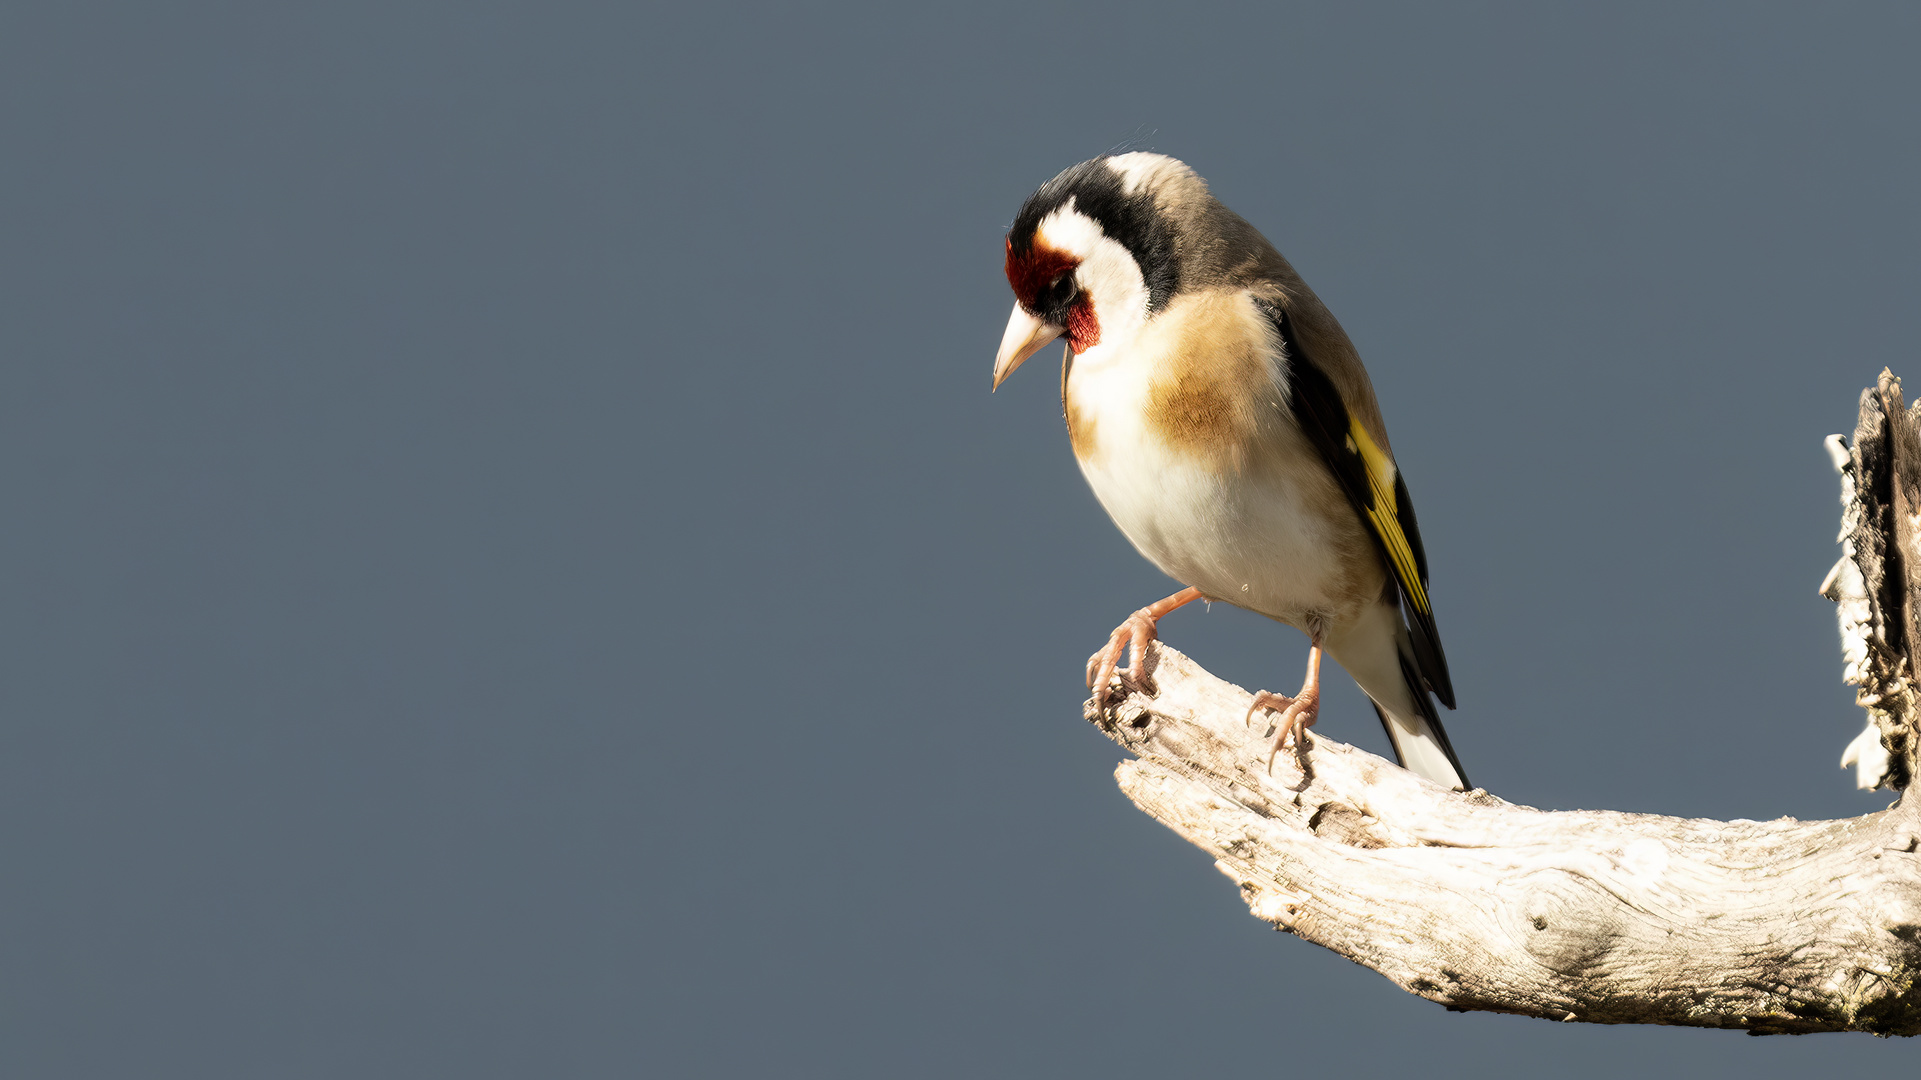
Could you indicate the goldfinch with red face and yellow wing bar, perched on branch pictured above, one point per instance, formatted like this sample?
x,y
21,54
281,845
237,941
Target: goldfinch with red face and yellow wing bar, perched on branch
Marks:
x,y
1227,424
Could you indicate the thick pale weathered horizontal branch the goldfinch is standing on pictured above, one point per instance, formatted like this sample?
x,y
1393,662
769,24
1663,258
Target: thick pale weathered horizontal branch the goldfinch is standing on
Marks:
x,y
1578,916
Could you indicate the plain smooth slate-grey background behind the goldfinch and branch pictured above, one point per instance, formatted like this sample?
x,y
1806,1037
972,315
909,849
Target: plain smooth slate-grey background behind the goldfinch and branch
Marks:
x,y
512,568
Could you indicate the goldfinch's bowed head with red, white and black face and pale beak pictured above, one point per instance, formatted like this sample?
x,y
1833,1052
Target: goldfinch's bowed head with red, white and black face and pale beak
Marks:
x,y
1094,255
